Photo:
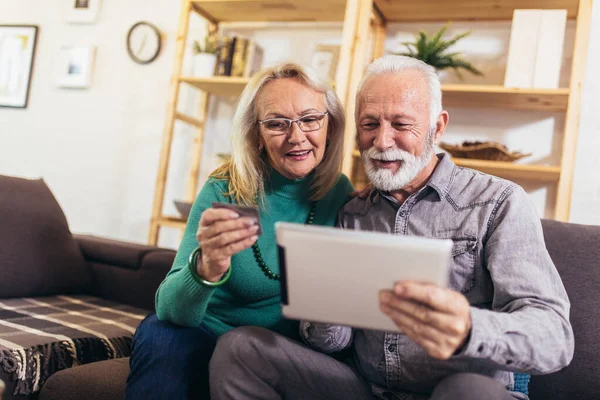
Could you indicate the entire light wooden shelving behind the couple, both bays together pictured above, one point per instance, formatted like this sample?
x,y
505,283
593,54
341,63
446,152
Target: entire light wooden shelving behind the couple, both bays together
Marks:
x,y
364,20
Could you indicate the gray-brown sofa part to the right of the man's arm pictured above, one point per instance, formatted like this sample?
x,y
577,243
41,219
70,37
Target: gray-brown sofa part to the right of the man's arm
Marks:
x,y
575,250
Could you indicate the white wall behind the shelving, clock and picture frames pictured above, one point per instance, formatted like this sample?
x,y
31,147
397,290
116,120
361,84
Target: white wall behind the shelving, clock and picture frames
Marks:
x,y
98,149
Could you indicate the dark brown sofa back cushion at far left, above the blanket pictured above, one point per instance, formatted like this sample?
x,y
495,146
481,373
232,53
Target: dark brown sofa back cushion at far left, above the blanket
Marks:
x,y
39,255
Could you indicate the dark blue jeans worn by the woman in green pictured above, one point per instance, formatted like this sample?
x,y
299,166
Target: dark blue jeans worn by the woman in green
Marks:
x,y
169,361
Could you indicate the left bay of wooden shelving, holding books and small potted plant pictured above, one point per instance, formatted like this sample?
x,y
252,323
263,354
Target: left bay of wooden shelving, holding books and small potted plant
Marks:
x,y
216,12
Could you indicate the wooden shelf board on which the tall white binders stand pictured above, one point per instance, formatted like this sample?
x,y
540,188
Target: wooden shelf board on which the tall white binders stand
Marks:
x,y
506,98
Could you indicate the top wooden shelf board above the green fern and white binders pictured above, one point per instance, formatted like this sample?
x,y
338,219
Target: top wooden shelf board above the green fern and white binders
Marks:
x,y
465,10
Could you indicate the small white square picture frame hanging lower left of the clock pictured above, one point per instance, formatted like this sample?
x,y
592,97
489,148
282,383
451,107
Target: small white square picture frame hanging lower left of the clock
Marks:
x,y
75,66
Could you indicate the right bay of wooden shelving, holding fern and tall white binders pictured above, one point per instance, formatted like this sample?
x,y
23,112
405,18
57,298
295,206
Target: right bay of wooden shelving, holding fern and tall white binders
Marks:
x,y
567,100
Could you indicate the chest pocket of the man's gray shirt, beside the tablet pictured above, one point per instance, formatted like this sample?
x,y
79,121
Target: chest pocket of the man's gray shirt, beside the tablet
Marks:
x,y
462,266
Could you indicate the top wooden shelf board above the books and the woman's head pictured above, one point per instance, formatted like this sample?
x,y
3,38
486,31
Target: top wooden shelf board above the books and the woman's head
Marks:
x,y
270,10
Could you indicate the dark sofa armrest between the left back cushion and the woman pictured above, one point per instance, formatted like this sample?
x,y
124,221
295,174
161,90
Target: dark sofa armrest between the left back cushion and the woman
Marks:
x,y
125,272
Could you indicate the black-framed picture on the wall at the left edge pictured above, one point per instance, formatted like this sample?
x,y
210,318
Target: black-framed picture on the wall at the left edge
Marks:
x,y
17,52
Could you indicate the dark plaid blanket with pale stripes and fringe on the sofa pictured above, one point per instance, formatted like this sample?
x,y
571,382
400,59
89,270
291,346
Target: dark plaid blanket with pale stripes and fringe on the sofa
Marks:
x,y
43,335
